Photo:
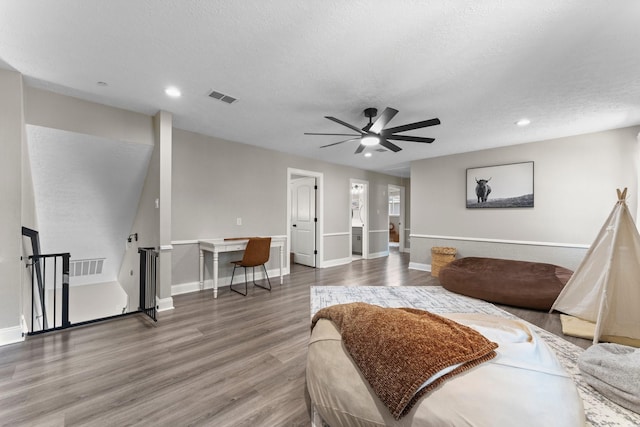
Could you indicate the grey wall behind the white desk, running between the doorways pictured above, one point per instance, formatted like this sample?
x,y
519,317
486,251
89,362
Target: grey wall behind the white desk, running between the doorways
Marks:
x,y
216,181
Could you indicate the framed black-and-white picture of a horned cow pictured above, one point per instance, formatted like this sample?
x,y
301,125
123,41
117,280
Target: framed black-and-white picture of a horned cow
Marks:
x,y
500,186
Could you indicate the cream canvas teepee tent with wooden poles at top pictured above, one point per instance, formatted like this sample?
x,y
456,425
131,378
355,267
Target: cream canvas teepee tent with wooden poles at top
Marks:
x,y
605,289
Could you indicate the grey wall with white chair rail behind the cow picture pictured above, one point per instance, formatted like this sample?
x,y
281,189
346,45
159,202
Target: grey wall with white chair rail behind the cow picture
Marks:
x,y
575,182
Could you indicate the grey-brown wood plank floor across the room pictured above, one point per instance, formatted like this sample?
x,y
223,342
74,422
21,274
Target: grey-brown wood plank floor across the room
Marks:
x,y
234,361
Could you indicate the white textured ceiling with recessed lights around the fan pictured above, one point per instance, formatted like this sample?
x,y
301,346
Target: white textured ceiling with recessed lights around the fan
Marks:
x,y
570,66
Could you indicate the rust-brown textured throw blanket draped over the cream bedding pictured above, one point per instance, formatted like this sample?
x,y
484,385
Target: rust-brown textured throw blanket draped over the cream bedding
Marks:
x,y
399,349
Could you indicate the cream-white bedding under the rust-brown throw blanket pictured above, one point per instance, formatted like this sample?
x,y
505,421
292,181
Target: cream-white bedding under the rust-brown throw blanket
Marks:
x,y
524,385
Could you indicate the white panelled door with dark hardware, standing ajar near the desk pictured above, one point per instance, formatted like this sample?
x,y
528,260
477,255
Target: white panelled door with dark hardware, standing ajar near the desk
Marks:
x,y
303,221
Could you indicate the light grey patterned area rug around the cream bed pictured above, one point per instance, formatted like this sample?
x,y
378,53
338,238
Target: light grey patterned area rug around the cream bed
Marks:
x,y
599,411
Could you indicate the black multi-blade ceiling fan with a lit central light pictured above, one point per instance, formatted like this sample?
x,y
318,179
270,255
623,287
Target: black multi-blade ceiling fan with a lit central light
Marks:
x,y
375,132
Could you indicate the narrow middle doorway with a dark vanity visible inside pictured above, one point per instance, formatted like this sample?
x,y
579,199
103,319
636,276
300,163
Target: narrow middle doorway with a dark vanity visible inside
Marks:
x,y
359,217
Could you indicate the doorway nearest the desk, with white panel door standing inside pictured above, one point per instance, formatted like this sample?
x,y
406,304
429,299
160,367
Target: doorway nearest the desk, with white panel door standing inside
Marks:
x,y
304,201
